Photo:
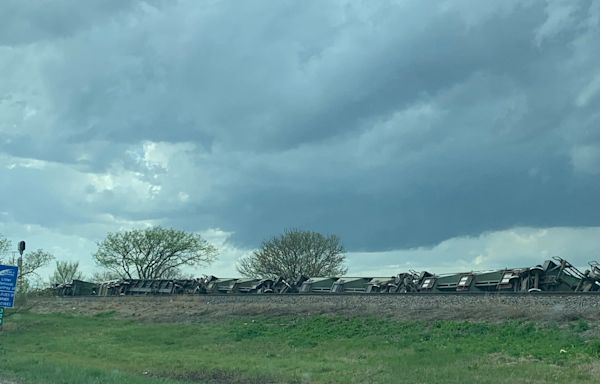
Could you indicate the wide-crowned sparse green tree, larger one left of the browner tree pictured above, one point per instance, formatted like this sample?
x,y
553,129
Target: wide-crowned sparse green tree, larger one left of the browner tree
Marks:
x,y
154,253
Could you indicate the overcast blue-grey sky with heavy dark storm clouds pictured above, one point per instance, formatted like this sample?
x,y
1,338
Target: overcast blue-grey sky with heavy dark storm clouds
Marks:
x,y
448,135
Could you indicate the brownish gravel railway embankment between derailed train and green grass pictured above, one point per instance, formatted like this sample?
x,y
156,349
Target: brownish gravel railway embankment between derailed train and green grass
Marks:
x,y
410,307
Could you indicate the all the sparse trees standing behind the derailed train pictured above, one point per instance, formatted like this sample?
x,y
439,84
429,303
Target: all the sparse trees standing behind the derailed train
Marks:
x,y
167,253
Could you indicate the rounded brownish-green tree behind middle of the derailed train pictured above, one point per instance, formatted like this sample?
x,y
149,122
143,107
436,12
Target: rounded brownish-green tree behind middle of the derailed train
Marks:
x,y
296,253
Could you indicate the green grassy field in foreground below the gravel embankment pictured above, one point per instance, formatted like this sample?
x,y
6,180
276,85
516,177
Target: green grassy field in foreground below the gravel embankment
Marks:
x,y
58,348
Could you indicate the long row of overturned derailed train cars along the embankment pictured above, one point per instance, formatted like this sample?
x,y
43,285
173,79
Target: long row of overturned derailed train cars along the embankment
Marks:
x,y
556,275
